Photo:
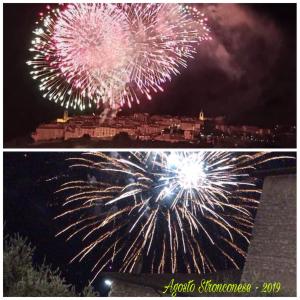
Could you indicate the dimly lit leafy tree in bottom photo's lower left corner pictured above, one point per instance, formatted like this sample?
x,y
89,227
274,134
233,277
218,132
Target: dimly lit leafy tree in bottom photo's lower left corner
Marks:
x,y
22,278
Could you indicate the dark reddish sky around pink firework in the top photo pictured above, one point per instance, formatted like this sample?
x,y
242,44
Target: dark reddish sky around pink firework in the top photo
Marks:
x,y
247,73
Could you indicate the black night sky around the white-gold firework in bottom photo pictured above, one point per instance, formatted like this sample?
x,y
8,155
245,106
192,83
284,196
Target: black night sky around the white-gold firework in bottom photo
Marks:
x,y
30,204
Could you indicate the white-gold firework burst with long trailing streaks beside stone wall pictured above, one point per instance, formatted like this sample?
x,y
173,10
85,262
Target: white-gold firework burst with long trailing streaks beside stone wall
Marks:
x,y
166,208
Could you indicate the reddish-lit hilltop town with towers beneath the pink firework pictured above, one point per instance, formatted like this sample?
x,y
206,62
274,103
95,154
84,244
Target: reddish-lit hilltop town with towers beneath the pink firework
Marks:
x,y
158,128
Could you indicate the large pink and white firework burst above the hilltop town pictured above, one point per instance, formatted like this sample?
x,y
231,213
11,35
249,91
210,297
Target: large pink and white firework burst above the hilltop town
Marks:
x,y
88,55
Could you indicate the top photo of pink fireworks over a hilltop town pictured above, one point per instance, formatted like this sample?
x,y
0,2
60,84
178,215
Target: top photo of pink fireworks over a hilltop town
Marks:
x,y
152,75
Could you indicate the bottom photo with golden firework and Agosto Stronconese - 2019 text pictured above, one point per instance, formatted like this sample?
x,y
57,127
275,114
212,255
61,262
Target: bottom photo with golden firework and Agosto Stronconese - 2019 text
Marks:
x,y
149,223
